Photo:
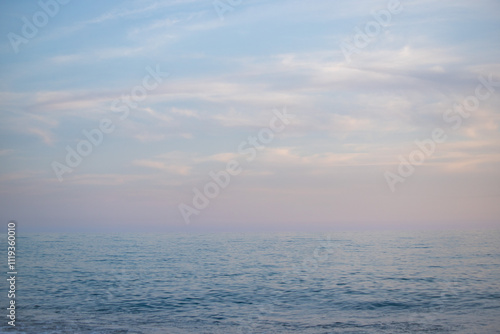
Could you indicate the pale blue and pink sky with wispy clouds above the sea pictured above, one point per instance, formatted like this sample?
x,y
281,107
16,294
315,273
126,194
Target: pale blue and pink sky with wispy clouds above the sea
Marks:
x,y
200,115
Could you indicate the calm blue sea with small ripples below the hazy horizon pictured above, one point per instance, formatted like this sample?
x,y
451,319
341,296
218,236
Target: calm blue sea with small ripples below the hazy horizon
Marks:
x,y
437,282
